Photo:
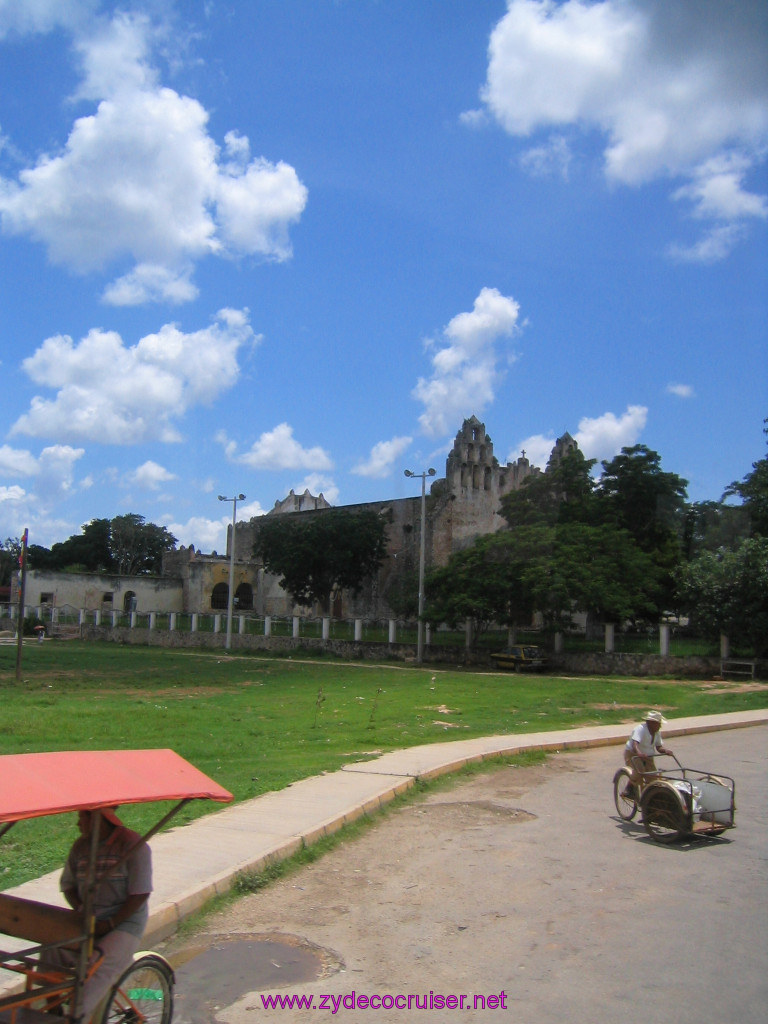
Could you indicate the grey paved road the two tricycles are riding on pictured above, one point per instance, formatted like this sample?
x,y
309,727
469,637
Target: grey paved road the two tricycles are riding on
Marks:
x,y
524,885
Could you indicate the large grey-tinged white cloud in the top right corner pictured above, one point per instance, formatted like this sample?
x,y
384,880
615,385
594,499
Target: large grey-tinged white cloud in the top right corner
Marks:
x,y
677,91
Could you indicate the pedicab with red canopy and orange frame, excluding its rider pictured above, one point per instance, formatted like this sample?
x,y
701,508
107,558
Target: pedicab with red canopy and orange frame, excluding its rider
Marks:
x,y
34,786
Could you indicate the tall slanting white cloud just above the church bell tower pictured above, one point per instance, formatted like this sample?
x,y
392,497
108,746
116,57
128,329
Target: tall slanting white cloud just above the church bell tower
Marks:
x,y
466,365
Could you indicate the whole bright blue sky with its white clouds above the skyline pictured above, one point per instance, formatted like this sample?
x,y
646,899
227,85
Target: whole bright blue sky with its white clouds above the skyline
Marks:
x,y
262,245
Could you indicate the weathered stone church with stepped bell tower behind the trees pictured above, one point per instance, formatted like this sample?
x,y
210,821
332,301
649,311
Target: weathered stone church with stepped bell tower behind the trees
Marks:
x,y
460,507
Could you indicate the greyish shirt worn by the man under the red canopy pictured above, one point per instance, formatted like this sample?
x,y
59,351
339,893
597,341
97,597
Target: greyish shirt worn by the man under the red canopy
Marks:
x,y
134,875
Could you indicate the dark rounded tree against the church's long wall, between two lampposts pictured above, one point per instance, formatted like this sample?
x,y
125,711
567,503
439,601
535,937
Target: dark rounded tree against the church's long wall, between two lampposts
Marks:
x,y
318,553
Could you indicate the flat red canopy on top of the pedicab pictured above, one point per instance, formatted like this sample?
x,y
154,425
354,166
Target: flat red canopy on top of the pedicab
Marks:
x,y
35,785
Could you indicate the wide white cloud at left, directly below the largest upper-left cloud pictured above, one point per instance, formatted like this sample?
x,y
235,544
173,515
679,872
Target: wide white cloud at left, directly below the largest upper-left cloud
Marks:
x,y
114,394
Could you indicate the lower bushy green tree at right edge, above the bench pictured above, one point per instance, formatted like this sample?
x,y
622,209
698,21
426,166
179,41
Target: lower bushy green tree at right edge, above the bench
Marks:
x,y
728,592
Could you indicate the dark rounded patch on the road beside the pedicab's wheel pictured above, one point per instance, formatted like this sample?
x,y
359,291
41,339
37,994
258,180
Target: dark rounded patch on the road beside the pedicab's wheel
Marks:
x,y
218,970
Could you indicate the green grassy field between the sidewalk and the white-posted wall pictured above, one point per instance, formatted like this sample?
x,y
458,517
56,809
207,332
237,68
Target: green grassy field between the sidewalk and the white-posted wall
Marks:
x,y
258,723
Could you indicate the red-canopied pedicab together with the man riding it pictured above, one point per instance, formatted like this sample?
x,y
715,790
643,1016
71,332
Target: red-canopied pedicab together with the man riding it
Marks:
x,y
82,964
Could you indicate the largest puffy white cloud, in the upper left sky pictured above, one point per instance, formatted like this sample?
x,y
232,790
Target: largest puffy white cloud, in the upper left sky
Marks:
x,y
141,179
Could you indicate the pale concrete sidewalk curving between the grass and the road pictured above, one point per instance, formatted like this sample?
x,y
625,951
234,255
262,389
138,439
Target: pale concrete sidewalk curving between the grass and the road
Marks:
x,y
194,863
